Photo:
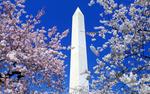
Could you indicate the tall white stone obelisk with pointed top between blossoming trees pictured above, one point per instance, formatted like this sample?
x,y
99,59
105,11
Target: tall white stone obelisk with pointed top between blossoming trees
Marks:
x,y
78,66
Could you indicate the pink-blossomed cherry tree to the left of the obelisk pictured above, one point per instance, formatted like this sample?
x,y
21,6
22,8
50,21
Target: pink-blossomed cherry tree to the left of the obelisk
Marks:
x,y
29,56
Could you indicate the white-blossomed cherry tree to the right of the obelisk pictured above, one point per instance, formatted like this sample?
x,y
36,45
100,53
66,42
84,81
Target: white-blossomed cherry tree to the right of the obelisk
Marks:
x,y
123,61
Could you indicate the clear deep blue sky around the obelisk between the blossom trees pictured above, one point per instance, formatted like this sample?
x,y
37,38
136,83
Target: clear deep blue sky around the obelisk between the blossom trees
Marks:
x,y
59,13
